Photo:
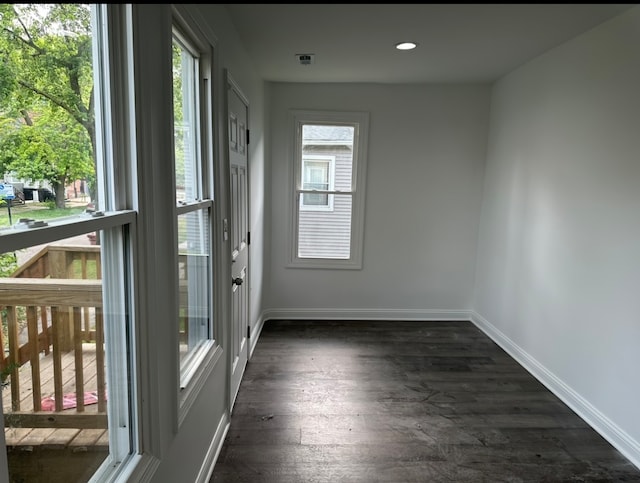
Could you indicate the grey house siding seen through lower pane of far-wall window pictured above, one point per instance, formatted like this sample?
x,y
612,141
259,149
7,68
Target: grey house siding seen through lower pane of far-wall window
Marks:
x,y
326,234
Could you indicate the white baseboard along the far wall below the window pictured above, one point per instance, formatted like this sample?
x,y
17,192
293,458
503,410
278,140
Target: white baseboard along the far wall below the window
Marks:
x,y
365,314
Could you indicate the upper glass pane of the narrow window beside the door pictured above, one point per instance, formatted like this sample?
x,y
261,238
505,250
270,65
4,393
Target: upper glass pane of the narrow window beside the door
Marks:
x,y
185,127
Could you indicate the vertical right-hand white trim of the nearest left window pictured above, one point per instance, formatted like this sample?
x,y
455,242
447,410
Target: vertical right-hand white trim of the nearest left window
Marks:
x,y
115,120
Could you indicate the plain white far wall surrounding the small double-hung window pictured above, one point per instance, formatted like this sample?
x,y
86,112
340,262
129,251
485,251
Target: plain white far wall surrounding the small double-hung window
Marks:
x,y
424,180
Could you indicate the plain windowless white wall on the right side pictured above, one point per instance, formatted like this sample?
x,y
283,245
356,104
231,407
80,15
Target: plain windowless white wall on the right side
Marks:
x,y
558,269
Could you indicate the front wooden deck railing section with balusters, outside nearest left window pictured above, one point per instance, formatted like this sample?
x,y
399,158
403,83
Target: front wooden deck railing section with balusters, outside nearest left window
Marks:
x,y
54,310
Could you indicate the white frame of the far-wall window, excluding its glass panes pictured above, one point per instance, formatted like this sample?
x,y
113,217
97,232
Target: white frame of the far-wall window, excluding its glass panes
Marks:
x,y
360,121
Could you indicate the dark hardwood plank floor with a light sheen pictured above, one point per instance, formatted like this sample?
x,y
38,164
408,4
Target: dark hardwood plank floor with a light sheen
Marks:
x,y
402,402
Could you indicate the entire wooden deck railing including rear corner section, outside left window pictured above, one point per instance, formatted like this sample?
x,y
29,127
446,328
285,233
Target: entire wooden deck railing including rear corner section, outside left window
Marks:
x,y
57,298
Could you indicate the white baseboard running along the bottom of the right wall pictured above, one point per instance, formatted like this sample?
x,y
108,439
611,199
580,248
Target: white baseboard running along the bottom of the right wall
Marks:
x,y
618,438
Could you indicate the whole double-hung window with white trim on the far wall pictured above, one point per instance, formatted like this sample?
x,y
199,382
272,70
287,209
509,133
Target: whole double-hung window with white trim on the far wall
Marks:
x,y
328,189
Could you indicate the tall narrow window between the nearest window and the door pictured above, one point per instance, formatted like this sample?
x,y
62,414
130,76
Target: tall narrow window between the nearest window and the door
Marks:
x,y
194,203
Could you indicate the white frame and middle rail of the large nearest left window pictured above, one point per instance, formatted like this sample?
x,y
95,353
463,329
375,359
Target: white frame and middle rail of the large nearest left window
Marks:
x,y
116,220
